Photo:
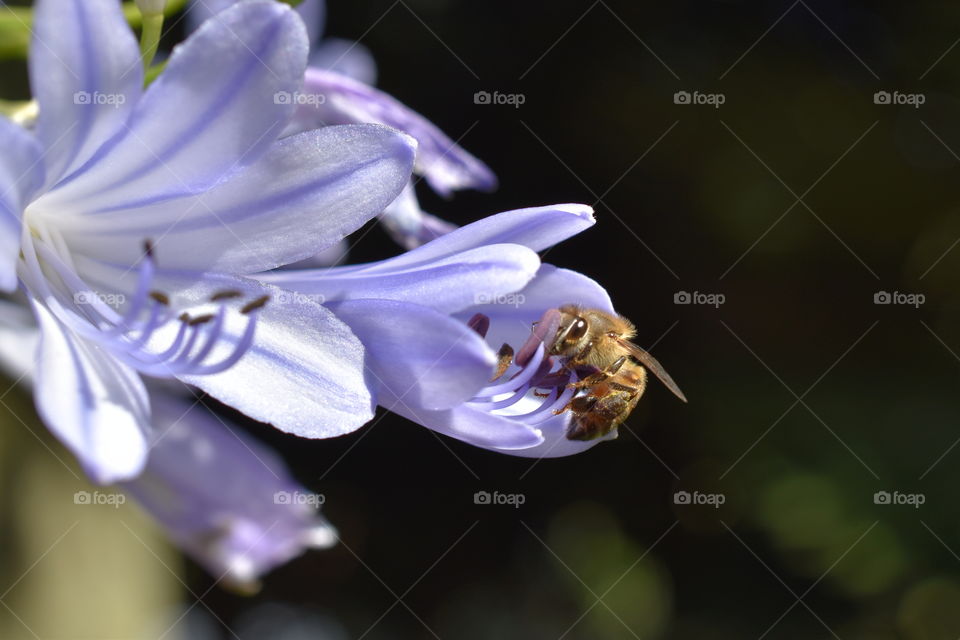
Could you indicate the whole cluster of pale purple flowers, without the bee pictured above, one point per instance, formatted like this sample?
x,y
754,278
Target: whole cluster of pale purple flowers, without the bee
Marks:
x,y
145,231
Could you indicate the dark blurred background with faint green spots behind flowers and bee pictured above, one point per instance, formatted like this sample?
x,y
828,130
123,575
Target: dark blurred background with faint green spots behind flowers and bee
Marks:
x,y
688,198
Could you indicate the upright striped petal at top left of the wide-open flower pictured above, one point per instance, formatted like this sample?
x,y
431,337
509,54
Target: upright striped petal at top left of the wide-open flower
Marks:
x,y
86,74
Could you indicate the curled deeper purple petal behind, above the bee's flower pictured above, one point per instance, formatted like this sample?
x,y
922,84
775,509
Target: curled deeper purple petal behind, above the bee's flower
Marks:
x,y
446,166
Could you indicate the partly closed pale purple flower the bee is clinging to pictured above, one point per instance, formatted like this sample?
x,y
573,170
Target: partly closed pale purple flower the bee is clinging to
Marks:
x,y
447,282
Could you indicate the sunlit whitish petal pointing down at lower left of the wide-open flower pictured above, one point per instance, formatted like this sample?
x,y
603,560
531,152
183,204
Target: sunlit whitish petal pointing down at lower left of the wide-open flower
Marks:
x,y
96,406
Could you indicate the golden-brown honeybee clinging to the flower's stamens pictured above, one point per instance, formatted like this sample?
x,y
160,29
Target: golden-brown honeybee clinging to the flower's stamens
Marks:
x,y
598,343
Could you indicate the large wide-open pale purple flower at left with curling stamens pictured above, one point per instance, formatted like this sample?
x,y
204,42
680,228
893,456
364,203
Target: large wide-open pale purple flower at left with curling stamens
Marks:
x,y
194,165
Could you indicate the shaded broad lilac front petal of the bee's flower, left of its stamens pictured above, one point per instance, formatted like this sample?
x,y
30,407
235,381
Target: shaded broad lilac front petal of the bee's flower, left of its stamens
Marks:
x,y
416,356
